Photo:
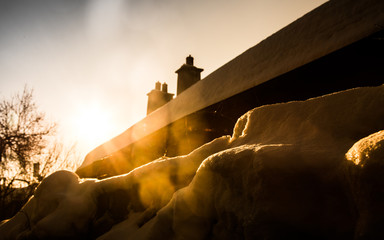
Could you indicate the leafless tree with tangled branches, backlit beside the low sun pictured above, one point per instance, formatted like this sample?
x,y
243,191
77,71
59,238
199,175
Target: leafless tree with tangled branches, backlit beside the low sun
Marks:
x,y
28,151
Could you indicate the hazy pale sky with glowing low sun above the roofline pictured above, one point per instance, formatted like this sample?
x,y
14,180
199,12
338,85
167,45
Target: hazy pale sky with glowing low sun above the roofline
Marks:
x,y
91,63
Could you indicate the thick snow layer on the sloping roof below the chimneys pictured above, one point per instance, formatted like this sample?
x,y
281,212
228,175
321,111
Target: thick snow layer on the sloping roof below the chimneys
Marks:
x,y
324,30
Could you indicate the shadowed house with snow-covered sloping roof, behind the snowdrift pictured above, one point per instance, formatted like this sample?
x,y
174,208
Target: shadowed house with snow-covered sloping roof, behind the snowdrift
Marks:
x,y
337,46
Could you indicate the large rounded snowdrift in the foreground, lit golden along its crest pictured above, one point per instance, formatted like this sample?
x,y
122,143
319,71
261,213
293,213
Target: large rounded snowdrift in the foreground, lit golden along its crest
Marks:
x,y
311,169
